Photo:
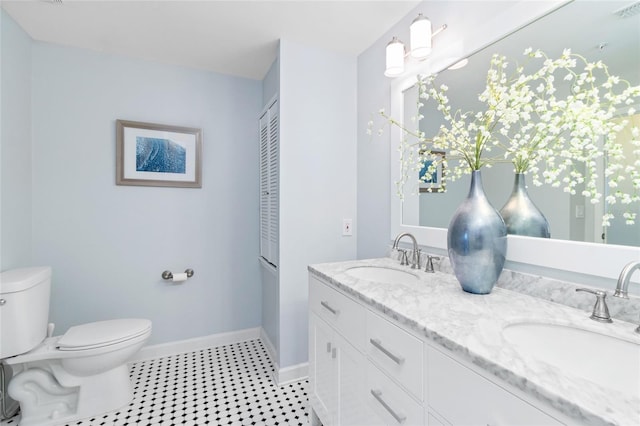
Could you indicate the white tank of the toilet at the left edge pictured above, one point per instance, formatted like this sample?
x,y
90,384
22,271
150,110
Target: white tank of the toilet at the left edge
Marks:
x,y
24,309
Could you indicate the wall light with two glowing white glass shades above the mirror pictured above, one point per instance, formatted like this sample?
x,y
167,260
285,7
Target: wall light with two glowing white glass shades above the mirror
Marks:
x,y
420,37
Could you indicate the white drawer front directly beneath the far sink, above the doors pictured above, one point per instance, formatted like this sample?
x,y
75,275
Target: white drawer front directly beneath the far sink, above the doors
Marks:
x,y
342,313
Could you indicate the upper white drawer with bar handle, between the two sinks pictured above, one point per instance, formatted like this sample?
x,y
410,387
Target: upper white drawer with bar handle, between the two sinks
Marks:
x,y
396,352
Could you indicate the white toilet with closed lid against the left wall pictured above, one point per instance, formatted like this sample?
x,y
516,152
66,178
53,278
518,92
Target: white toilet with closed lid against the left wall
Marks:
x,y
63,378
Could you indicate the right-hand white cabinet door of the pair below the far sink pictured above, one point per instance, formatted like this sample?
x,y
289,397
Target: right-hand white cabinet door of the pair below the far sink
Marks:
x,y
350,371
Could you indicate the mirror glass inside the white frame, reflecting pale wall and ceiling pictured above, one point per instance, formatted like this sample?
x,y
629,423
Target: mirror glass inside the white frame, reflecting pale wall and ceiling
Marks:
x,y
591,29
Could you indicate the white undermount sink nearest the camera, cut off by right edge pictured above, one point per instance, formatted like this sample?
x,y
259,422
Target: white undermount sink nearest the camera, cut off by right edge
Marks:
x,y
609,361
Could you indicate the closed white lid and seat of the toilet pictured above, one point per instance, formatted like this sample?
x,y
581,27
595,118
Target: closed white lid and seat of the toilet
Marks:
x,y
102,333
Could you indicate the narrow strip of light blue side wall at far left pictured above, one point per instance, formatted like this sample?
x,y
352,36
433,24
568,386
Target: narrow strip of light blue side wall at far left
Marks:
x,y
15,145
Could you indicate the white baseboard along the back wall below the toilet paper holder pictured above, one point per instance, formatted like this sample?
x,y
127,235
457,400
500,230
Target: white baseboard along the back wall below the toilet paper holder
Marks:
x,y
196,344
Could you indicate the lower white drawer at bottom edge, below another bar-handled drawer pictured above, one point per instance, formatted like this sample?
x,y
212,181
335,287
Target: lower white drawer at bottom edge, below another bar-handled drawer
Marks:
x,y
390,404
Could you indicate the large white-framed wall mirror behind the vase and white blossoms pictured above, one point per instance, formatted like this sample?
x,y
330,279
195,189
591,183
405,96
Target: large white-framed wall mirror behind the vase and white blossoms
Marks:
x,y
589,28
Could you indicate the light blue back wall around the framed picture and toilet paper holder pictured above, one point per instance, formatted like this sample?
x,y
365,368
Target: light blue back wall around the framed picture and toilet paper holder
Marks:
x,y
108,244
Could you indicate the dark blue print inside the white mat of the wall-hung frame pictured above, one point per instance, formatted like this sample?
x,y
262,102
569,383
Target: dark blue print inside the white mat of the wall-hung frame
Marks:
x,y
160,155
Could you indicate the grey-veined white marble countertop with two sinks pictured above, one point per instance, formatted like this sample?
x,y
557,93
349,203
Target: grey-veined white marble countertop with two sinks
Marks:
x,y
471,326
